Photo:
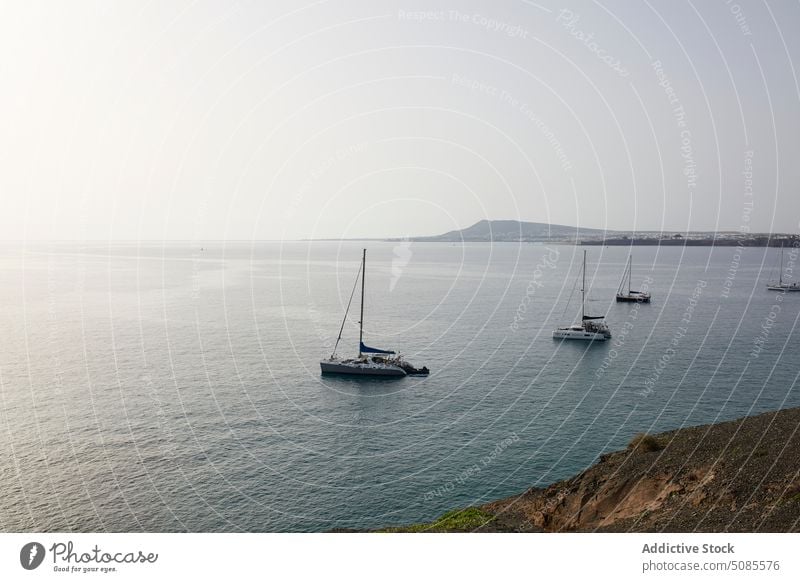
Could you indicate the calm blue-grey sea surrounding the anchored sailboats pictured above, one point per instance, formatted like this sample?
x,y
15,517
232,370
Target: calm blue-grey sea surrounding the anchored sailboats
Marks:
x,y
161,387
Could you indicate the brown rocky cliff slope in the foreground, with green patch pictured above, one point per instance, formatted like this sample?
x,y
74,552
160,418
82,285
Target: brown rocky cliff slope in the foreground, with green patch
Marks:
x,y
738,476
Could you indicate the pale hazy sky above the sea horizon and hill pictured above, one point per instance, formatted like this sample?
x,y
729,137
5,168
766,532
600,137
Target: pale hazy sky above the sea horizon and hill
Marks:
x,y
283,120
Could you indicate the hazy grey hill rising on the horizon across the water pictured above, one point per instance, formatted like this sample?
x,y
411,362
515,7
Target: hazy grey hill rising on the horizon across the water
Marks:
x,y
514,231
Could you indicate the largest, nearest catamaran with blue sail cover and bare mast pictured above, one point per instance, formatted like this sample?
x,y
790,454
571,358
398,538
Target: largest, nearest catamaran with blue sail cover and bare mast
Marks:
x,y
370,361
